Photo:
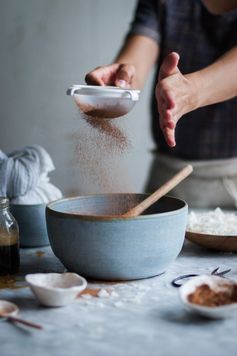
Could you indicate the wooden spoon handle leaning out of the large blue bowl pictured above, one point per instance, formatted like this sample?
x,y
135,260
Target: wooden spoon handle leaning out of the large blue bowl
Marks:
x,y
164,189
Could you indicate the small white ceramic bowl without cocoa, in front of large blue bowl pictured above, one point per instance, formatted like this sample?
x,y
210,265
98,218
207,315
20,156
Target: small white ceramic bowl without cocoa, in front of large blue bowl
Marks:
x,y
56,289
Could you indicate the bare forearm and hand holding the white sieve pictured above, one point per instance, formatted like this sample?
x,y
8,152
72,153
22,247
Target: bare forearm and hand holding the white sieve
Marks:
x,y
131,66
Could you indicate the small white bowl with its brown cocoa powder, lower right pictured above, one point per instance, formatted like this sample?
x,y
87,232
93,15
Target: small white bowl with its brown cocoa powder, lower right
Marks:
x,y
210,296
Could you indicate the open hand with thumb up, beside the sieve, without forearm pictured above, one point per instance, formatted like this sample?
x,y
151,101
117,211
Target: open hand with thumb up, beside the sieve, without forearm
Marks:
x,y
174,95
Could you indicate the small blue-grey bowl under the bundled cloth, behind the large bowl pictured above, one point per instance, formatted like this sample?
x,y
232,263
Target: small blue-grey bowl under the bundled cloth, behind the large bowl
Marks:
x,y
32,224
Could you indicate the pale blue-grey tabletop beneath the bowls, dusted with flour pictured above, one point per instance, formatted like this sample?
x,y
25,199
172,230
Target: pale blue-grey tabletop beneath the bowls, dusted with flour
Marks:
x,y
140,318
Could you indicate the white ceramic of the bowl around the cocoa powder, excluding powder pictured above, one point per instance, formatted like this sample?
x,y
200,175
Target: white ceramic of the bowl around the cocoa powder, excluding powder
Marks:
x,y
214,282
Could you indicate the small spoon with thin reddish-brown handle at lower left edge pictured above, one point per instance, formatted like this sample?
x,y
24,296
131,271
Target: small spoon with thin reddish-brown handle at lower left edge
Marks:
x,y
9,310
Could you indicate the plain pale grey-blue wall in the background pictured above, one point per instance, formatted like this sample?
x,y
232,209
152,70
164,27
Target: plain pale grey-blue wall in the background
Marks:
x,y
47,45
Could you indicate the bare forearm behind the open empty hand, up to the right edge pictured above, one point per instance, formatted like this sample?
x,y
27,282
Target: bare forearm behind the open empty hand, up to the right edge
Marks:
x,y
217,82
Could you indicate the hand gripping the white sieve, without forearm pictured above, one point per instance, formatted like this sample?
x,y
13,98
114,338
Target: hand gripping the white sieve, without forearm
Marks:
x,y
117,74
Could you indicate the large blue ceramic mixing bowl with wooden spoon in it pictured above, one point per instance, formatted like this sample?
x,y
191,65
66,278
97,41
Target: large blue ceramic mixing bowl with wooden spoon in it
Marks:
x,y
110,248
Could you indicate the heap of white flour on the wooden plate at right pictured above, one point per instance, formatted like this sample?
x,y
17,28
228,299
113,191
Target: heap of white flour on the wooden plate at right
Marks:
x,y
214,222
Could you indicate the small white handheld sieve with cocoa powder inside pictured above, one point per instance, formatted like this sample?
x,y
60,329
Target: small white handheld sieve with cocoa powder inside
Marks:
x,y
103,102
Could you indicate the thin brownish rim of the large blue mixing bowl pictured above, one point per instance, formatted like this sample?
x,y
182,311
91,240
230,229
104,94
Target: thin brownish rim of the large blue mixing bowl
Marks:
x,y
105,218
